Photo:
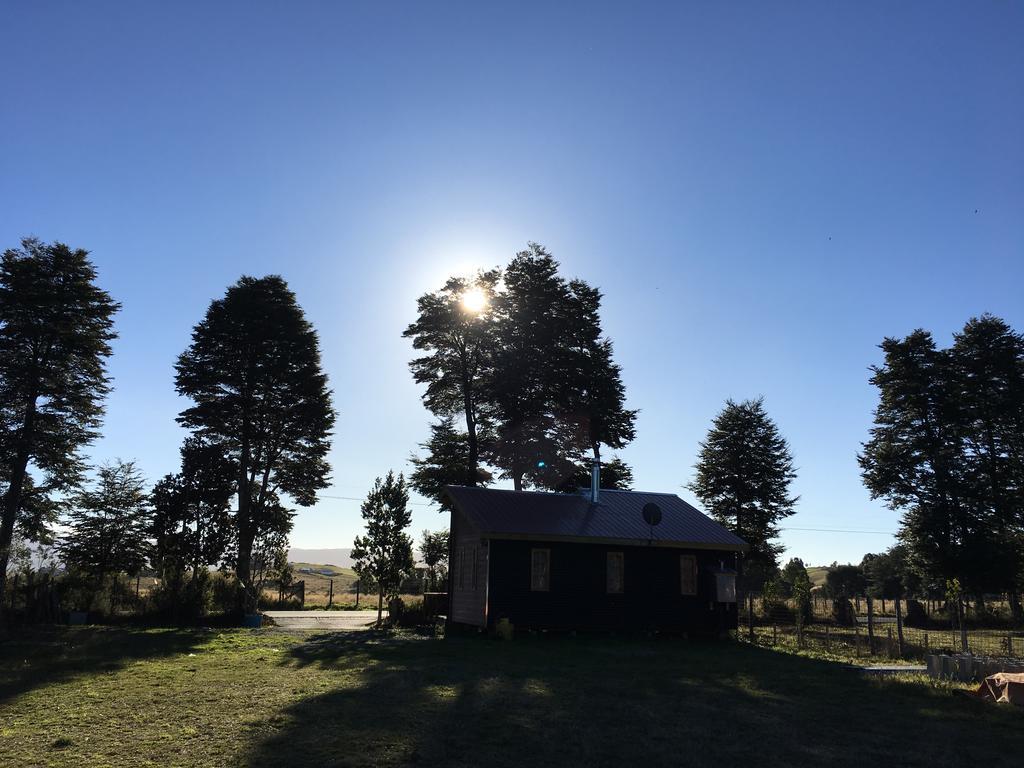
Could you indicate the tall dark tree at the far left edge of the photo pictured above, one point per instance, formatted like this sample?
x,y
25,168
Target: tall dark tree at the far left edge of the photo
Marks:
x,y
56,329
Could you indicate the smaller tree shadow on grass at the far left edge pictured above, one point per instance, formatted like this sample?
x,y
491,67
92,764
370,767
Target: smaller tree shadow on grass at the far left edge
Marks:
x,y
35,657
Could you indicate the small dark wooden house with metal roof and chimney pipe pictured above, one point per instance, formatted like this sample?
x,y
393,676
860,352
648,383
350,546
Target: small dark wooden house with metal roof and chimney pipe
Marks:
x,y
599,560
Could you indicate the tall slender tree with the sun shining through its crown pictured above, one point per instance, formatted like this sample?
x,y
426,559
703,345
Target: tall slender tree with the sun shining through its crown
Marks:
x,y
458,335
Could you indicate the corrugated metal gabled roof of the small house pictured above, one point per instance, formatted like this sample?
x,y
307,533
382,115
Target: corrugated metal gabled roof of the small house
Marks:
x,y
618,518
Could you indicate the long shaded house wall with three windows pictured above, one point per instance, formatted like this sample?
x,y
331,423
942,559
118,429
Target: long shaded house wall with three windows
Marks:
x,y
578,598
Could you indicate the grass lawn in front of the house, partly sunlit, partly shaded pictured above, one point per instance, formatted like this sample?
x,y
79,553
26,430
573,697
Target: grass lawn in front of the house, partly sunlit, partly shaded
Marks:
x,y
129,698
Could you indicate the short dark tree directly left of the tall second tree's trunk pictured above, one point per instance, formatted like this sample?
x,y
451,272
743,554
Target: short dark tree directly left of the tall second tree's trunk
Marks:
x,y
192,526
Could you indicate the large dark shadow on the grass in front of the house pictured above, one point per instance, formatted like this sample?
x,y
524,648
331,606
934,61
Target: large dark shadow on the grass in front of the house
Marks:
x,y
403,701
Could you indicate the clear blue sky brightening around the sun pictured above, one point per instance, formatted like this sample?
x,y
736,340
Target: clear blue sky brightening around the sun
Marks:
x,y
762,191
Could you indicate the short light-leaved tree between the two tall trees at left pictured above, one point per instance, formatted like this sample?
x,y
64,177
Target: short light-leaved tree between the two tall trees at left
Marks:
x,y
109,525
